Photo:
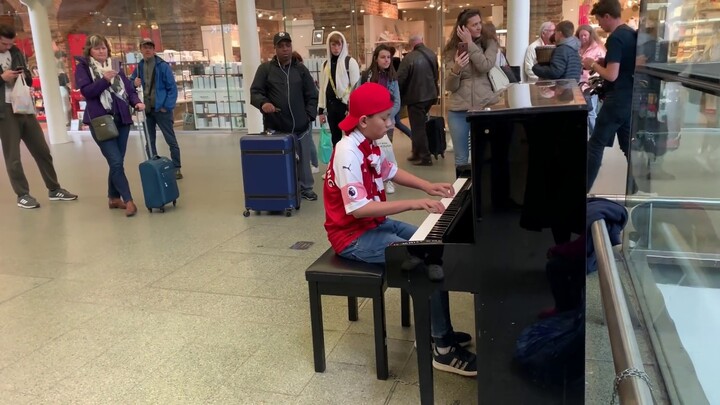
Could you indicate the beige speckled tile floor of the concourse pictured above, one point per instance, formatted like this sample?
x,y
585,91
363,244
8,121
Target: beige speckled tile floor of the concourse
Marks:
x,y
196,305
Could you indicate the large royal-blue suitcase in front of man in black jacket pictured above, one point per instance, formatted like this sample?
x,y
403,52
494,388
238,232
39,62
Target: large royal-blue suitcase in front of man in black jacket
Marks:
x,y
270,174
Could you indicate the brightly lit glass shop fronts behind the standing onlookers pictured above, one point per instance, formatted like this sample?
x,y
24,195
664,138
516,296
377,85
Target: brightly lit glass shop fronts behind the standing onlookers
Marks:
x,y
201,40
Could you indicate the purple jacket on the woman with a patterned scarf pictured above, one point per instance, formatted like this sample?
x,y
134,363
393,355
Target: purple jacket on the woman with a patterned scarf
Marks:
x,y
92,89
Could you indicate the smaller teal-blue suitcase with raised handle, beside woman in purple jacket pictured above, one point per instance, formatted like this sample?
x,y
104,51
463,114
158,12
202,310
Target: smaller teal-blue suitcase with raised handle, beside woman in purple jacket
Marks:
x,y
157,175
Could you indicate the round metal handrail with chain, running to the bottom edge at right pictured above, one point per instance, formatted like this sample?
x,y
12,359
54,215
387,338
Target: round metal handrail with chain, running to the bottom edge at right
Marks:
x,y
625,351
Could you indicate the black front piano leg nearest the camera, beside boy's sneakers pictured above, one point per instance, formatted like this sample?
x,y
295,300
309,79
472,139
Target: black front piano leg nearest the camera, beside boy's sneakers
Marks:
x,y
421,312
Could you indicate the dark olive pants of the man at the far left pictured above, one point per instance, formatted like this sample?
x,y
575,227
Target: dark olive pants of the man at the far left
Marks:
x,y
20,127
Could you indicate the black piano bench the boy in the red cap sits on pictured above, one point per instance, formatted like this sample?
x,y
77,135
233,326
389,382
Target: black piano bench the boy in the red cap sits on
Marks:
x,y
334,275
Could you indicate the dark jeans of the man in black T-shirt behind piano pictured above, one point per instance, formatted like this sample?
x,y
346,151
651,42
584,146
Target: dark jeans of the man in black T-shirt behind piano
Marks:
x,y
614,118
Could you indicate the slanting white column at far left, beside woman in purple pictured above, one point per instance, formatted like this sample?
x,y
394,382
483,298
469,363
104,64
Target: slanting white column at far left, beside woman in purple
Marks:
x,y
47,65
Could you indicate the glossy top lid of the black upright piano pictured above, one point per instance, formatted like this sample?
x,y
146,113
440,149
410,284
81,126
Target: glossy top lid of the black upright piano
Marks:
x,y
541,96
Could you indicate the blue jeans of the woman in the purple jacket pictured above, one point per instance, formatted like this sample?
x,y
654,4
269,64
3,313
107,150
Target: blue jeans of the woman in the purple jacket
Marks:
x,y
114,152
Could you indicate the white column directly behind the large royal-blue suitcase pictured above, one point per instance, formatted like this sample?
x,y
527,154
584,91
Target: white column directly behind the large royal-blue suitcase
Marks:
x,y
250,56
